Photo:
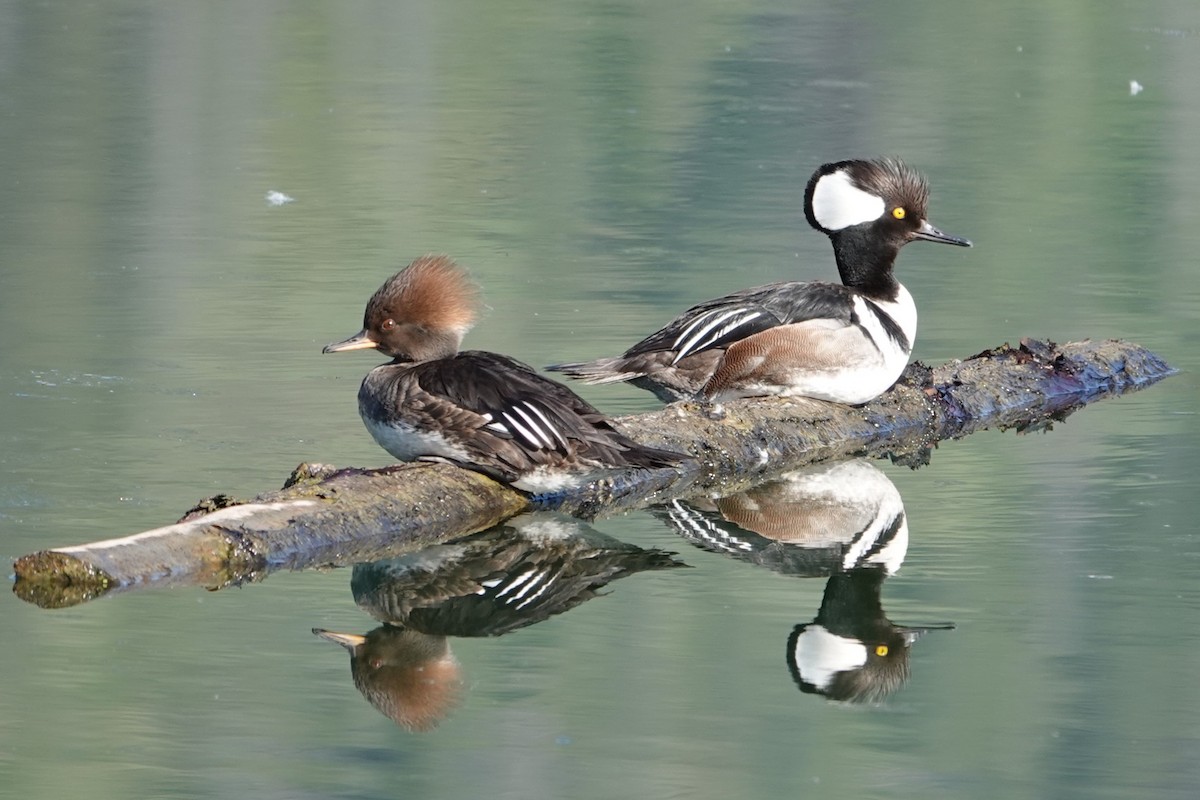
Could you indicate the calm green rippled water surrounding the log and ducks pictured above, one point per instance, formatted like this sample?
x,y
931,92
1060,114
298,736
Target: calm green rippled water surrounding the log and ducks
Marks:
x,y
599,167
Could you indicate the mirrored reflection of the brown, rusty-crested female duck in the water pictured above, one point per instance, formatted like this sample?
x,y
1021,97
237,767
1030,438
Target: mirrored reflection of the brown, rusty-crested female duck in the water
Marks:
x,y
488,585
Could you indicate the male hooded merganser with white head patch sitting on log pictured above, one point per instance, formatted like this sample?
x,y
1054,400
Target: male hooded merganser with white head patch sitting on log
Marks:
x,y
838,342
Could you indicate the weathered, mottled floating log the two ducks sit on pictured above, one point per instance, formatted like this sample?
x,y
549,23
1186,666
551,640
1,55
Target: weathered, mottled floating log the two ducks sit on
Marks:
x,y
327,516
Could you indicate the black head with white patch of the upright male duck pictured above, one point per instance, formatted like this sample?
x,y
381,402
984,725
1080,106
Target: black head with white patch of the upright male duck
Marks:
x,y
871,209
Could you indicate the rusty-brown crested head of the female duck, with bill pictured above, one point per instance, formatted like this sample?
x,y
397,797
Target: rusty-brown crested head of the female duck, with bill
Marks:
x,y
419,314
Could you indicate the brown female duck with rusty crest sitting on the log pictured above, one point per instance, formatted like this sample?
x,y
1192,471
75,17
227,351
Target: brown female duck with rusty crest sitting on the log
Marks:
x,y
479,411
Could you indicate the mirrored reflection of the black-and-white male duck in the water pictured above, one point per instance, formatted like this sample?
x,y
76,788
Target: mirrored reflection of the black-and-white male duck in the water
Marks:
x,y
844,521
